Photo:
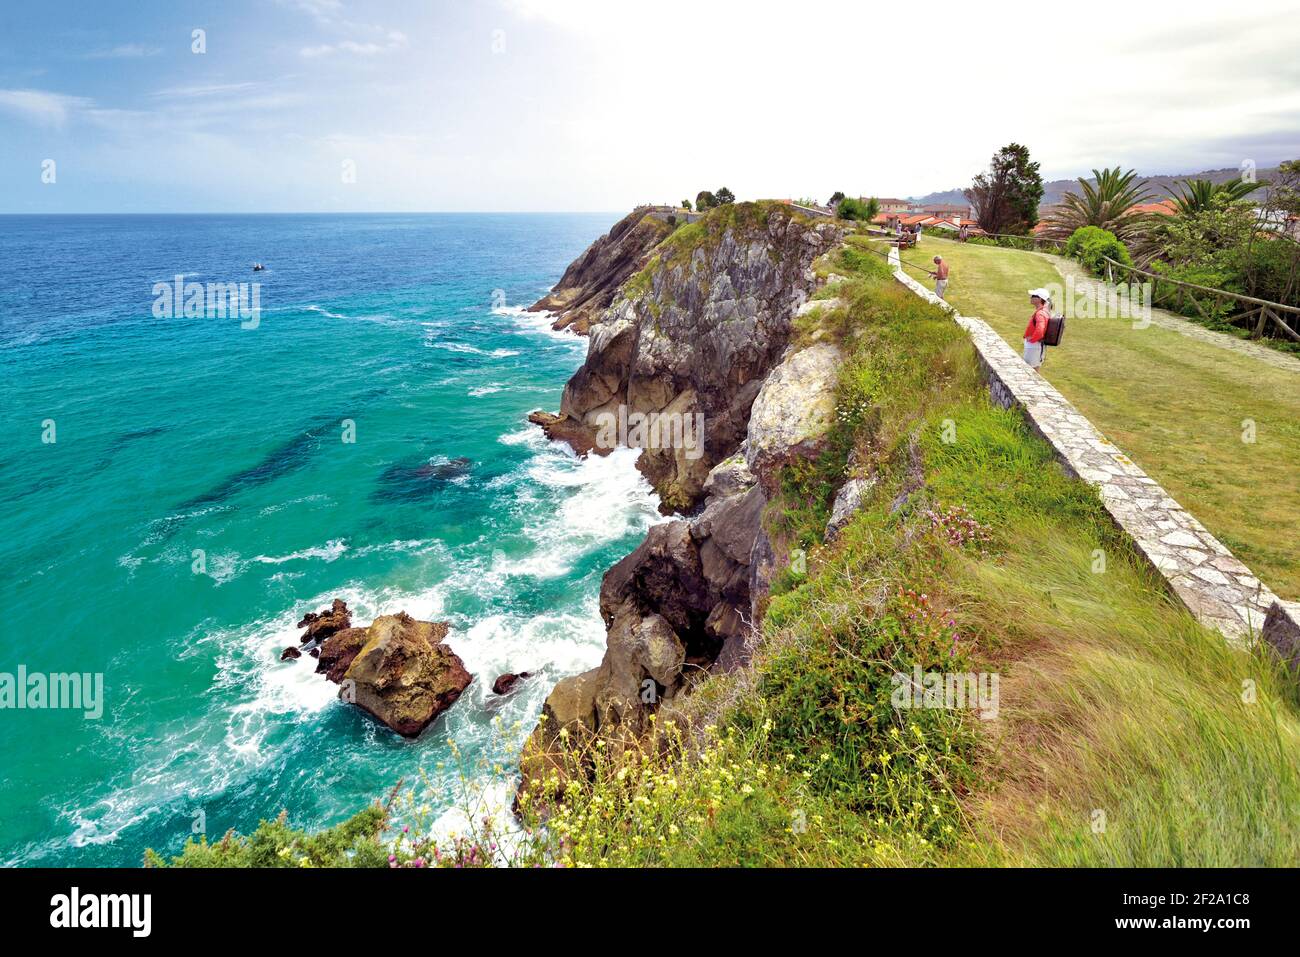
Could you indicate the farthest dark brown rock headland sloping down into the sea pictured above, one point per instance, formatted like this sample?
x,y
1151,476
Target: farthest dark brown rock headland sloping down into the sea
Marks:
x,y
591,283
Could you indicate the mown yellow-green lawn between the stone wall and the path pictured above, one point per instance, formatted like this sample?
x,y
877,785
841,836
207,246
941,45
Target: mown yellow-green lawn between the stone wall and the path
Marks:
x,y
1173,404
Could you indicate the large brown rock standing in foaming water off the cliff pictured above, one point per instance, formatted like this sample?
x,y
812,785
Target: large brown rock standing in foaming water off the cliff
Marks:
x,y
398,670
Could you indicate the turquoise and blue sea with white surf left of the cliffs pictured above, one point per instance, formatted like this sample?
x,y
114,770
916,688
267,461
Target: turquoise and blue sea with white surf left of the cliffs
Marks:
x,y
185,438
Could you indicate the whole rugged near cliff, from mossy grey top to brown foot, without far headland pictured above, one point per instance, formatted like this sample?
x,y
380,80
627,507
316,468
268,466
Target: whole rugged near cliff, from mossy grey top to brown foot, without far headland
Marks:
x,y
703,330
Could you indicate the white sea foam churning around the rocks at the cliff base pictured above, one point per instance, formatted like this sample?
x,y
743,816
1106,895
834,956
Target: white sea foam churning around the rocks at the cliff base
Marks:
x,y
258,707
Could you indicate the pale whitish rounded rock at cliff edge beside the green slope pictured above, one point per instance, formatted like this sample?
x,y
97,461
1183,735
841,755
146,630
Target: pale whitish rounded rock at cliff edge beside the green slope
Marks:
x,y
794,412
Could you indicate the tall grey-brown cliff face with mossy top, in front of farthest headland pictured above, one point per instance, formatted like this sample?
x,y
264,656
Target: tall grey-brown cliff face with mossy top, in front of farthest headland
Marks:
x,y
692,337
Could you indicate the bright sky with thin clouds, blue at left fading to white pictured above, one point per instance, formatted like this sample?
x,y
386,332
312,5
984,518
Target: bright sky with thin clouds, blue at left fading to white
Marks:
x,y
322,106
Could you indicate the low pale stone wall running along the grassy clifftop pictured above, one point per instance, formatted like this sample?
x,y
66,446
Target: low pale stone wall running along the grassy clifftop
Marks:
x,y
1206,577
